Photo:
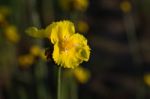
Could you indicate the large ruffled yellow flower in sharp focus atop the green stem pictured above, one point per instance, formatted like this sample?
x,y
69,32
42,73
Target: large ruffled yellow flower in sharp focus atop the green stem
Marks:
x,y
70,48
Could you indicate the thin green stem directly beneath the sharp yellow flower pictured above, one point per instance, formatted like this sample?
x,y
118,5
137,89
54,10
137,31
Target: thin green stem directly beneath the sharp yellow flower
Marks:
x,y
59,83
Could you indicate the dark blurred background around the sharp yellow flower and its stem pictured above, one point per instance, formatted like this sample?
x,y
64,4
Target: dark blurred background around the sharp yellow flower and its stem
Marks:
x,y
117,32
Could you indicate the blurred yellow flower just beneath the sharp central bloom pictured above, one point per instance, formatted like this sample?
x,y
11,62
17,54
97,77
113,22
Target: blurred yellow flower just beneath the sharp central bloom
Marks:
x,y
81,74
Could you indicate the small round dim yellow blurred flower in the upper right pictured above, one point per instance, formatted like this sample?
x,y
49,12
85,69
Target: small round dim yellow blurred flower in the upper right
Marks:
x,y
125,6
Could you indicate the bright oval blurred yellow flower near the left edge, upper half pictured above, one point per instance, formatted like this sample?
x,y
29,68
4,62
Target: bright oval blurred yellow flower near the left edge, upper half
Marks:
x,y
11,34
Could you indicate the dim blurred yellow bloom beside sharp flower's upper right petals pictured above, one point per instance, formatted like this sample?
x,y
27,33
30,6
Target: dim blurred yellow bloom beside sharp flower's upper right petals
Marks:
x,y
82,26
